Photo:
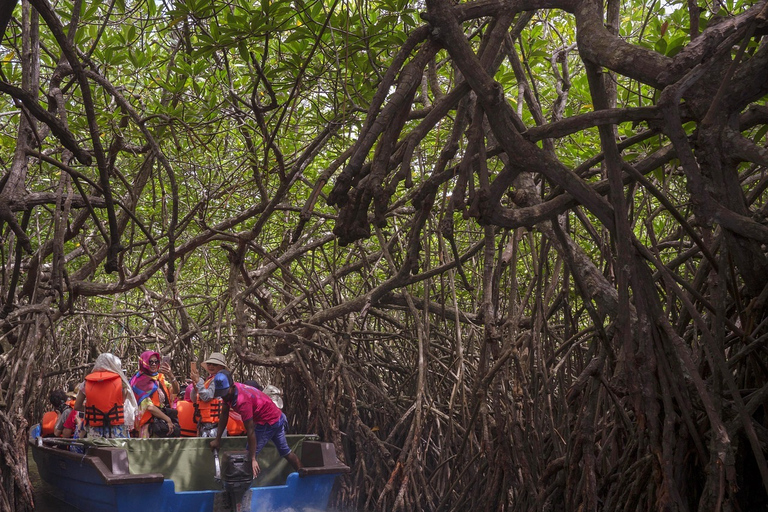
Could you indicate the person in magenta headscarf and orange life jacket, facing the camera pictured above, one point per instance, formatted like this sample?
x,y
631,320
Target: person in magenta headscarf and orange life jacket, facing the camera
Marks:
x,y
154,394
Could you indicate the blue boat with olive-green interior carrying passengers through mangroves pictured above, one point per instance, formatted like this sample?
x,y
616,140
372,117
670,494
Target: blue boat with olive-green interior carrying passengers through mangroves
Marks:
x,y
181,474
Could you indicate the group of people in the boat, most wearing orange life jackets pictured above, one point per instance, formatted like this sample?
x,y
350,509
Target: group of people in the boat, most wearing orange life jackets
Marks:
x,y
150,404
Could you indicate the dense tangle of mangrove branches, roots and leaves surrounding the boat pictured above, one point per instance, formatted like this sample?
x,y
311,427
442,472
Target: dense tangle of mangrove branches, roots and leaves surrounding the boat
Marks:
x,y
467,262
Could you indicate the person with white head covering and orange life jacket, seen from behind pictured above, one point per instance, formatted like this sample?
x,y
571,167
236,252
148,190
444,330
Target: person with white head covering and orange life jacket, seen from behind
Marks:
x,y
107,400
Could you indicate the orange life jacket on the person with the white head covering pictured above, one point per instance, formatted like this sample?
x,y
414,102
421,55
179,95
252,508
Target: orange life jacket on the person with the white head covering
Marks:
x,y
104,399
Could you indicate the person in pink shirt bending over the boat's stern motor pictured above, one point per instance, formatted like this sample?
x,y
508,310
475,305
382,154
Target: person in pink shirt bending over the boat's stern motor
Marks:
x,y
262,419
